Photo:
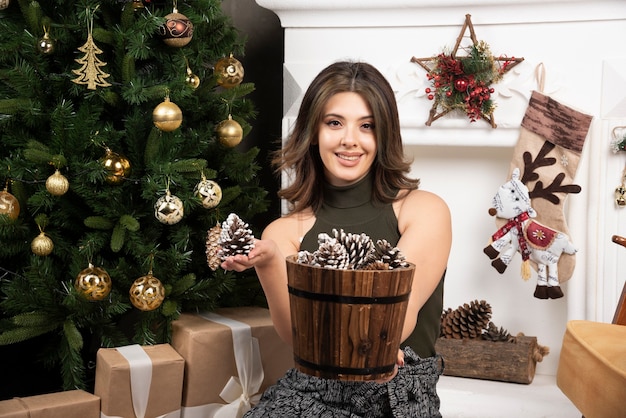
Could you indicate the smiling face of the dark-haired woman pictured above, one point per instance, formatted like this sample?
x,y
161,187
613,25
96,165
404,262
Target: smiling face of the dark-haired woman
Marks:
x,y
346,139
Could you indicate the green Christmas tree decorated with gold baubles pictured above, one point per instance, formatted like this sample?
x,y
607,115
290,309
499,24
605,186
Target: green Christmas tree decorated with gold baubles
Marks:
x,y
119,122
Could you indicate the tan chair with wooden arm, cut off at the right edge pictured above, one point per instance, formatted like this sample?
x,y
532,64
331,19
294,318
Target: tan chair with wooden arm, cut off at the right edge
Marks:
x,y
592,365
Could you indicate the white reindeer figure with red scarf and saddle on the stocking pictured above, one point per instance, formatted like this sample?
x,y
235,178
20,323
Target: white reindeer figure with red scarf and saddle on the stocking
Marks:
x,y
534,241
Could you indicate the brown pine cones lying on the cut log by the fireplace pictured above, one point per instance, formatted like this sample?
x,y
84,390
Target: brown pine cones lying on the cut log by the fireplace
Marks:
x,y
472,320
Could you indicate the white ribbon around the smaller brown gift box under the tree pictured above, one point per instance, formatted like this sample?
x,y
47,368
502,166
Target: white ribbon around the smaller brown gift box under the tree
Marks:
x,y
140,366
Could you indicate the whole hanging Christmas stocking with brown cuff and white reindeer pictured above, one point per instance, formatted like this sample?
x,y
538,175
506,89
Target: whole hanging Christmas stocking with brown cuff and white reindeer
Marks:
x,y
547,154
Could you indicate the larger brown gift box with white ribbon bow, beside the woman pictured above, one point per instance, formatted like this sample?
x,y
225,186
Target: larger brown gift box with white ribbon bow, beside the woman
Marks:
x,y
231,357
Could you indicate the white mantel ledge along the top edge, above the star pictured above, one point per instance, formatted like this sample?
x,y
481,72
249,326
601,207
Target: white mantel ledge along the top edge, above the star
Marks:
x,y
380,13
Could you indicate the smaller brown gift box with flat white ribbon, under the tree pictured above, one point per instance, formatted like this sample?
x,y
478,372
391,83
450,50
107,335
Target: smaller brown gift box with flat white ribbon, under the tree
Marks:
x,y
139,381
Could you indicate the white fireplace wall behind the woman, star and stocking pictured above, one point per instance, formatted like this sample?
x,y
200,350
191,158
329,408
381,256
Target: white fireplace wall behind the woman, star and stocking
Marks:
x,y
580,47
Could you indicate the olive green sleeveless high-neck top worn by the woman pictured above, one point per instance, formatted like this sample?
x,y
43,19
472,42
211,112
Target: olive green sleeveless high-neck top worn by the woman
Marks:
x,y
351,208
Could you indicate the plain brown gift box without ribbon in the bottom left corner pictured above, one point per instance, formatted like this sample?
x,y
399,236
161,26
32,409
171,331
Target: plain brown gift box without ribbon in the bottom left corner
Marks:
x,y
69,404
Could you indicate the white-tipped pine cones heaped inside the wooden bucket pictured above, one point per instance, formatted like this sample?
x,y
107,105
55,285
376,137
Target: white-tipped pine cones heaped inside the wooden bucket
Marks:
x,y
348,251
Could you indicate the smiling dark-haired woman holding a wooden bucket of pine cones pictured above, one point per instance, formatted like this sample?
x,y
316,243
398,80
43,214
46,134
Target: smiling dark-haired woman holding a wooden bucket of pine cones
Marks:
x,y
348,171
